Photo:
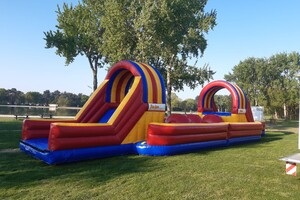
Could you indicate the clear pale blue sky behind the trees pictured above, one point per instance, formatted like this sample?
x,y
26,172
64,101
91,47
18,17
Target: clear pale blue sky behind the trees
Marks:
x,y
245,28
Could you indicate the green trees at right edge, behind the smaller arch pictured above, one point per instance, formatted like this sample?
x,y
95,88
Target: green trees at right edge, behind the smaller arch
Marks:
x,y
270,82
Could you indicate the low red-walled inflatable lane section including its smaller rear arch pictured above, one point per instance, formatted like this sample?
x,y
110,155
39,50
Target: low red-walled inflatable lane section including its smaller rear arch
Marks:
x,y
207,129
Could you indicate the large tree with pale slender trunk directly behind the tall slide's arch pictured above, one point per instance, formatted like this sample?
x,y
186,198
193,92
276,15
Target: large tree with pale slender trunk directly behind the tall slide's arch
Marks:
x,y
163,33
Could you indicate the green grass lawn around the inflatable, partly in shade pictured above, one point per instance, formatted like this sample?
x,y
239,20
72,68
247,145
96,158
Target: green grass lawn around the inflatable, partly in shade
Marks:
x,y
250,171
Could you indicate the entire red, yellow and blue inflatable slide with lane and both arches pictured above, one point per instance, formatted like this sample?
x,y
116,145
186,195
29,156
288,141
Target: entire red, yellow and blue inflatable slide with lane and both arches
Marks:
x,y
126,115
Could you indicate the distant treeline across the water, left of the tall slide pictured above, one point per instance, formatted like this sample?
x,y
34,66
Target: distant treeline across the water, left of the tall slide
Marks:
x,y
16,97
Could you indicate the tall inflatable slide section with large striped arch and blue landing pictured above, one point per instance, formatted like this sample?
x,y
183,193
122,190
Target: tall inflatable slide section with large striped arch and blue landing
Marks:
x,y
114,118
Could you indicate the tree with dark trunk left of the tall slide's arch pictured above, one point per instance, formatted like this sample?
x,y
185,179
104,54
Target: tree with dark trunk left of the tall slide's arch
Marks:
x,y
79,32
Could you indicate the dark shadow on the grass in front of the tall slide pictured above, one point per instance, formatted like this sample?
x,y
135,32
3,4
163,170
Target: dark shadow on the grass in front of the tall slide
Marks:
x,y
21,170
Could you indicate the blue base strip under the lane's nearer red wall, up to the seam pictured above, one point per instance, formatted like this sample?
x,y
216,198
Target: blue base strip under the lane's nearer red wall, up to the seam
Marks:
x,y
144,149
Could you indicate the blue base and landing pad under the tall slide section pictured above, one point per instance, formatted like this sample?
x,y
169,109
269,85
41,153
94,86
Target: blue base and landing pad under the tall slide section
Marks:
x,y
38,148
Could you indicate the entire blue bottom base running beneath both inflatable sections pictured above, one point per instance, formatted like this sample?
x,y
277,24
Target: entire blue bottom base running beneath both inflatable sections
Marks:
x,y
38,148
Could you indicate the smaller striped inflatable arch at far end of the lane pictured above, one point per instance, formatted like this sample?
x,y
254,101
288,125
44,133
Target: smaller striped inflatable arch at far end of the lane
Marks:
x,y
241,110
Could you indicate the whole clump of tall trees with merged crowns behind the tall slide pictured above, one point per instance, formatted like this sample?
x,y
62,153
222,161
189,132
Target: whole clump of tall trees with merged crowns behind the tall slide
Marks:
x,y
165,33
